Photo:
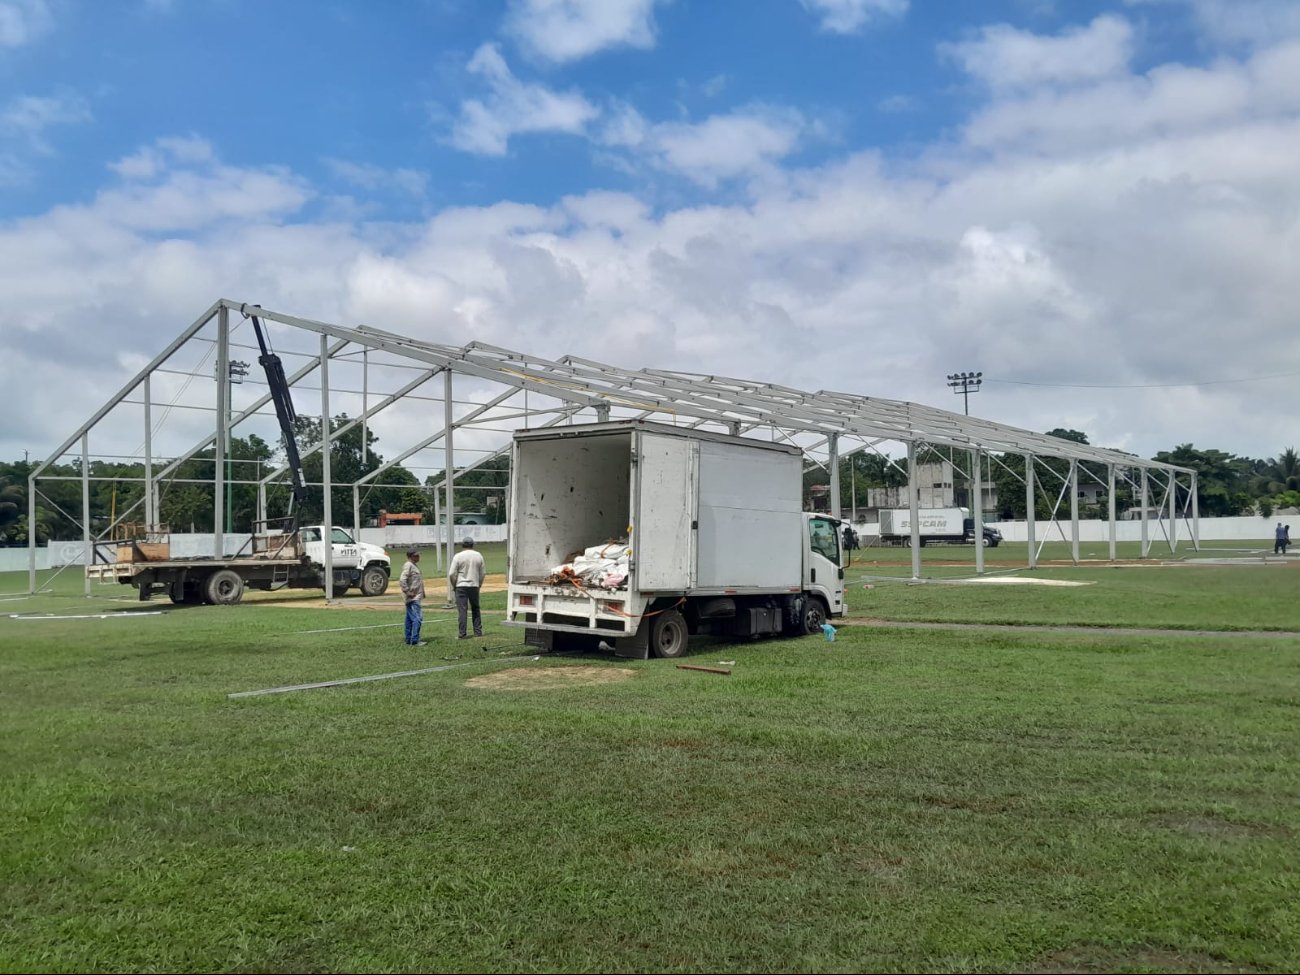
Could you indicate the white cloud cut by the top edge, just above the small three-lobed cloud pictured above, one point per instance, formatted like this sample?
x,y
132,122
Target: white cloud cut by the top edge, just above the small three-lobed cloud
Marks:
x,y
567,31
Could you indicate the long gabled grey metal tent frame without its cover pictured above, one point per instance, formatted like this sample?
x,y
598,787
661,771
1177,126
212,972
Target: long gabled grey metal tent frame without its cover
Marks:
x,y
506,387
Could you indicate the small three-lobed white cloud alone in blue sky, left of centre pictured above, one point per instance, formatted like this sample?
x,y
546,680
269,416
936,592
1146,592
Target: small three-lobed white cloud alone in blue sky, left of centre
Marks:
x,y
513,107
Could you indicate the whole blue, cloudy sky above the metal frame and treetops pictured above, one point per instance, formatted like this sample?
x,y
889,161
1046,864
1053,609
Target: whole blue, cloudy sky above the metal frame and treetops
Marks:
x,y
1091,203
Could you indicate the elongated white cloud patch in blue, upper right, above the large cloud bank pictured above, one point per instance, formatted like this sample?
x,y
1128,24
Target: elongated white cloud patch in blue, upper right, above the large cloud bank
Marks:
x,y
1007,58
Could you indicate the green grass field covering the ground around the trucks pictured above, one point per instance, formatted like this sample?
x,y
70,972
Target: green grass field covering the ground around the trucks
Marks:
x,y
946,800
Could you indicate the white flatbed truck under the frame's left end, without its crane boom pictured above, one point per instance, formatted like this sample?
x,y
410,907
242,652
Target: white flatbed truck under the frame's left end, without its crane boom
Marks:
x,y
270,561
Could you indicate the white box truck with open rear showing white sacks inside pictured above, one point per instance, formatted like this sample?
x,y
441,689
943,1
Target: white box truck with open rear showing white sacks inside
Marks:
x,y
707,535
